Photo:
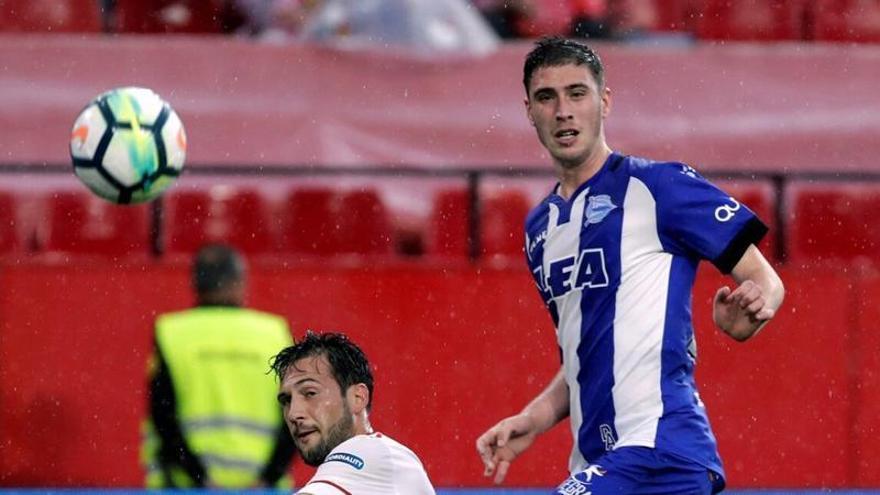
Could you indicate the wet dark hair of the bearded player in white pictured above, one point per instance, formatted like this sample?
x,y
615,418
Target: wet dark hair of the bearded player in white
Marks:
x,y
348,362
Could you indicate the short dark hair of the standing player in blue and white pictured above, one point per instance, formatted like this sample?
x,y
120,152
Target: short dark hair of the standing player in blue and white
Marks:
x,y
555,51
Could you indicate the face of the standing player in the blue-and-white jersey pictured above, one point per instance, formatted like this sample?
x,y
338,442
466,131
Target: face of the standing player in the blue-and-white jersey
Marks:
x,y
567,108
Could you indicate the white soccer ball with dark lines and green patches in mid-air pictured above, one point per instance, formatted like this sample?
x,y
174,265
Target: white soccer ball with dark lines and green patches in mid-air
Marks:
x,y
128,145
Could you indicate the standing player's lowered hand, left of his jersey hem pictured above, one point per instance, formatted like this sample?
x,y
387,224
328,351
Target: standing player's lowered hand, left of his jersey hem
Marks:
x,y
502,443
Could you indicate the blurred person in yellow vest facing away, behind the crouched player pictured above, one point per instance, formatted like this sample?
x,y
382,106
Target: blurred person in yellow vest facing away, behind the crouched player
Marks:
x,y
214,421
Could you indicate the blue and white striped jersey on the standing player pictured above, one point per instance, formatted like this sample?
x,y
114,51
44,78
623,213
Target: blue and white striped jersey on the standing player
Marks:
x,y
615,265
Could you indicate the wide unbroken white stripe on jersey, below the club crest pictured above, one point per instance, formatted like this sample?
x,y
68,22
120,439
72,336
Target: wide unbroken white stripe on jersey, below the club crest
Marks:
x,y
641,311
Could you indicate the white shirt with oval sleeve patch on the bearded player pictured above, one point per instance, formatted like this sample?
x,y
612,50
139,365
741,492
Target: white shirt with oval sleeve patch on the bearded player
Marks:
x,y
370,465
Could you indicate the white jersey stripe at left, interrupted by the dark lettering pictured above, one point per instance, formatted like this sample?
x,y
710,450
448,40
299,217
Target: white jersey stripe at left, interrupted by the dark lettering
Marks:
x,y
563,241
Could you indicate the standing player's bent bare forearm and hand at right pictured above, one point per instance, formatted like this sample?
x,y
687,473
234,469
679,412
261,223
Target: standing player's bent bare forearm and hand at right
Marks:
x,y
743,311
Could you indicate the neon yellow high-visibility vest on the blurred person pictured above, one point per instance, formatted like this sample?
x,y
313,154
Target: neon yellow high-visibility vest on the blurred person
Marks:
x,y
218,359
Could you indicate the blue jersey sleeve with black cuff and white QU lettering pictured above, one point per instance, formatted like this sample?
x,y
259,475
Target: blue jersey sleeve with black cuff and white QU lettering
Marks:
x,y
695,218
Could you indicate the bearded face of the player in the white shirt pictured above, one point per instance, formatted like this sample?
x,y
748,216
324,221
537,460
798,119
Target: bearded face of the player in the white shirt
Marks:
x,y
315,409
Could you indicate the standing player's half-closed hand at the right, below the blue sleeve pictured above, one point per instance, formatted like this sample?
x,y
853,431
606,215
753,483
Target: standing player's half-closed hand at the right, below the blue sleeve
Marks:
x,y
741,312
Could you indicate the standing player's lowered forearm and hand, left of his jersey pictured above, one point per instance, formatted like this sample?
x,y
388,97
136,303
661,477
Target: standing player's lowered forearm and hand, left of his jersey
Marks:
x,y
511,436
